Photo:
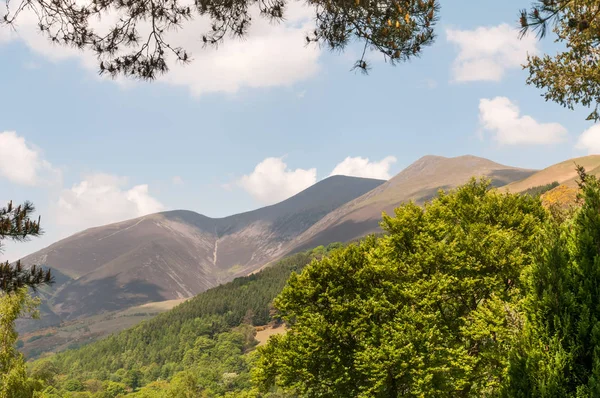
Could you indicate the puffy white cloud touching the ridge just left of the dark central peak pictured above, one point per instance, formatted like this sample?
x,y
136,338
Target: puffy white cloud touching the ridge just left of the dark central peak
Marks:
x,y
271,181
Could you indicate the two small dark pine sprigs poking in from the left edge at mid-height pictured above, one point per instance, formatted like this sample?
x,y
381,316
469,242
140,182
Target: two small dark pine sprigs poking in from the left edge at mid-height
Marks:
x,y
16,225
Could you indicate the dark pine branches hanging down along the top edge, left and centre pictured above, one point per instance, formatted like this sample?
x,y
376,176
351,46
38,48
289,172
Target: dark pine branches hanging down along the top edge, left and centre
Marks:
x,y
136,43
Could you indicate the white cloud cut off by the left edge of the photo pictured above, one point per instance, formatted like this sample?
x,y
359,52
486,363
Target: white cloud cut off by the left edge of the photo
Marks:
x,y
23,164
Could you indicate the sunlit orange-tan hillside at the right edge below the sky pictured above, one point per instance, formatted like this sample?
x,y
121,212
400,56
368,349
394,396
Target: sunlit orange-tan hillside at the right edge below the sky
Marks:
x,y
564,173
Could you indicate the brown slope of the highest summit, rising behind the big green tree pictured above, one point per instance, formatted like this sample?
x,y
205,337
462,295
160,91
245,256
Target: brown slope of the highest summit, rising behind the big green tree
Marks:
x,y
418,182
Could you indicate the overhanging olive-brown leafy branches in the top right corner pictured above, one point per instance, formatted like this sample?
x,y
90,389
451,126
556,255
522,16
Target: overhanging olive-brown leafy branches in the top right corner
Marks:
x,y
570,77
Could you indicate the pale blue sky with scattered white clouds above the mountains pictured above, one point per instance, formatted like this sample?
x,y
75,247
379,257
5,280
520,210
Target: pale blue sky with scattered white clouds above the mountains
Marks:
x,y
259,120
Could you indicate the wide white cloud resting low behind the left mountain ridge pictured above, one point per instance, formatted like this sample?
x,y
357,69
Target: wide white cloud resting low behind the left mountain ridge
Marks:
x,y
102,199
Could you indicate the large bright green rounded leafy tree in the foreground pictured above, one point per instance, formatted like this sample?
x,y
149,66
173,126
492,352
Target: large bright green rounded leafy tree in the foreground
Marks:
x,y
426,310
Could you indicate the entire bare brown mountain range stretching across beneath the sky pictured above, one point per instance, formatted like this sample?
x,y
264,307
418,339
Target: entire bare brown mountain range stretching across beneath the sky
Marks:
x,y
177,254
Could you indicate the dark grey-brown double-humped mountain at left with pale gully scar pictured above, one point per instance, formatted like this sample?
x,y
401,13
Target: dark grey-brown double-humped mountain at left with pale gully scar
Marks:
x,y
177,254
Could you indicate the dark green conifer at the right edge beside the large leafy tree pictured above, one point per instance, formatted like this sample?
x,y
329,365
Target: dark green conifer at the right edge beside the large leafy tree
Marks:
x,y
559,355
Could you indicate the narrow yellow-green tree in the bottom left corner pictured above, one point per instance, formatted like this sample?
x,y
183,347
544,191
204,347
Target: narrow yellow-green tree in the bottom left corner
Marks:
x,y
14,382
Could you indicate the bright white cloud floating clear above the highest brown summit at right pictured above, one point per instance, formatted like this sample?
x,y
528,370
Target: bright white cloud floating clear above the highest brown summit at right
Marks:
x,y
502,118
